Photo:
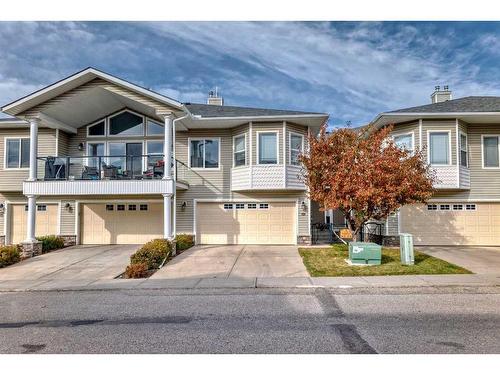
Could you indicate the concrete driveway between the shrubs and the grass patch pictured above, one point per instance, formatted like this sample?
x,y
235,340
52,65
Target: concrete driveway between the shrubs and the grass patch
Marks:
x,y
235,261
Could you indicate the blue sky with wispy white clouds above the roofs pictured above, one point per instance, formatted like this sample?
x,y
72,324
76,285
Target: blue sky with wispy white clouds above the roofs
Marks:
x,y
351,70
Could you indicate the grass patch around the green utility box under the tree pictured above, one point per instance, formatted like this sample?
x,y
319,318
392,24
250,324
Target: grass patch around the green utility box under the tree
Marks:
x,y
330,261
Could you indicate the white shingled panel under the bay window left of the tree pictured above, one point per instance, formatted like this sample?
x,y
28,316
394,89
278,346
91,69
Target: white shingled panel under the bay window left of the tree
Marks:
x,y
266,177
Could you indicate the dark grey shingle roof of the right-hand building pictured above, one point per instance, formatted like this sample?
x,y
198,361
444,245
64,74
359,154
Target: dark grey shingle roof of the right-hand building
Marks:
x,y
466,104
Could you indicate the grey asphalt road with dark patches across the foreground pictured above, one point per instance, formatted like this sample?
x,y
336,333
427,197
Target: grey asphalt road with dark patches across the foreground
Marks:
x,y
449,320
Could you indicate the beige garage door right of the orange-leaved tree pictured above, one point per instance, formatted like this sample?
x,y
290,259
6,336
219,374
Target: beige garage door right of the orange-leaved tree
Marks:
x,y
452,224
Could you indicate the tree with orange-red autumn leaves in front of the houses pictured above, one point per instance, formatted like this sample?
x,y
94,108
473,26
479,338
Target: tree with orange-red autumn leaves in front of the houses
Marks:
x,y
364,174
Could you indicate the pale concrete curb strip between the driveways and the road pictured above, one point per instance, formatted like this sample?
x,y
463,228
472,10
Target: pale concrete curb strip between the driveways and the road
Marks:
x,y
474,280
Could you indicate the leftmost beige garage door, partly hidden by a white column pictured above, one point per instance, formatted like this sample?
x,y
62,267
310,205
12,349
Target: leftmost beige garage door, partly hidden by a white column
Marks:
x,y
46,221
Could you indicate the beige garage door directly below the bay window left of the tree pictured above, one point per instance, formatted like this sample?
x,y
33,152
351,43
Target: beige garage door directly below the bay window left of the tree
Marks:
x,y
246,223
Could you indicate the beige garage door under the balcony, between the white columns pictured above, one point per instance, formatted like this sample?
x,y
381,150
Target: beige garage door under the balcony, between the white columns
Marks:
x,y
124,223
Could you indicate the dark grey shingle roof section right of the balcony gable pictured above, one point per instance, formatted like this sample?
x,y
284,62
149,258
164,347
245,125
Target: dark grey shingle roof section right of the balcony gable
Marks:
x,y
207,110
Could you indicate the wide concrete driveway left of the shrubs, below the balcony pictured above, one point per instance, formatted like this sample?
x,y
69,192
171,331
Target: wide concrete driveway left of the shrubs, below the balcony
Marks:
x,y
84,262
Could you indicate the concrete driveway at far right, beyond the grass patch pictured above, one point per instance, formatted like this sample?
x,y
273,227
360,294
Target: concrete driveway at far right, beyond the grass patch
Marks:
x,y
478,259
